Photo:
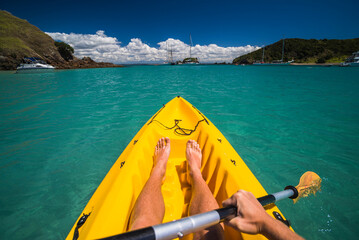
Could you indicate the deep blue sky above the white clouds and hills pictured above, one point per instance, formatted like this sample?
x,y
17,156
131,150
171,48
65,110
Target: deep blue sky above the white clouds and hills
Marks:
x,y
224,23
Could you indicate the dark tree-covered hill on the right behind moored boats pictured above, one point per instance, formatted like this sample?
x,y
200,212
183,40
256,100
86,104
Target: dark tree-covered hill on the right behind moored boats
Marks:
x,y
304,51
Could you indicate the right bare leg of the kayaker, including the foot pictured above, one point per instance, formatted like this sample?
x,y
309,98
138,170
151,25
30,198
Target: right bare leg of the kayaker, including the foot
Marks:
x,y
202,199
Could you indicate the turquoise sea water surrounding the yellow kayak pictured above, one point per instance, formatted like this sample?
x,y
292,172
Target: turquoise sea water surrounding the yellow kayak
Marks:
x,y
61,132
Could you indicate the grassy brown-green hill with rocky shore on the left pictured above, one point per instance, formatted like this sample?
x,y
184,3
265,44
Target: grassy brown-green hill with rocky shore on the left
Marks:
x,y
19,39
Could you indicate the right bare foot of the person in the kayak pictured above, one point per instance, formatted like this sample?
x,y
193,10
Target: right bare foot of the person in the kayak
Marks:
x,y
194,157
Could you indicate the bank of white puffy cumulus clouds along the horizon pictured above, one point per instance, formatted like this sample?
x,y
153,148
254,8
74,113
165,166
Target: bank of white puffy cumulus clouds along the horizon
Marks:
x,y
101,47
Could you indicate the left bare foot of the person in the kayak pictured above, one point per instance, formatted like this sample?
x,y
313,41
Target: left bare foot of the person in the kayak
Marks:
x,y
162,152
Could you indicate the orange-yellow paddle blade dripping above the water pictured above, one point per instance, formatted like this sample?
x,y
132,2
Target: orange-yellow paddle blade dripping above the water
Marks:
x,y
309,183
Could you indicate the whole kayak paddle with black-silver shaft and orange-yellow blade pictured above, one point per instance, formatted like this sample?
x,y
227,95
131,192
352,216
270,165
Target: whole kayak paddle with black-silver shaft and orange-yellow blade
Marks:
x,y
309,183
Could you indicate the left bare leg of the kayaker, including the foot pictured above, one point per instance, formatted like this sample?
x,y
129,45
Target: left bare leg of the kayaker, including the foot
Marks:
x,y
149,207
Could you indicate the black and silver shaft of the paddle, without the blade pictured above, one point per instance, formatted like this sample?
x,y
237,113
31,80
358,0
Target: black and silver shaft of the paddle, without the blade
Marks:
x,y
184,226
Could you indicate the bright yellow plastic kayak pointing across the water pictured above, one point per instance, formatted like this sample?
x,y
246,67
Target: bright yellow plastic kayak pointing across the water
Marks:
x,y
110,207
